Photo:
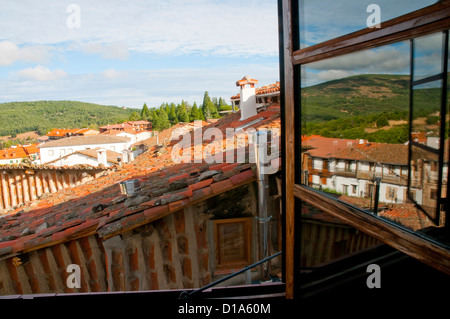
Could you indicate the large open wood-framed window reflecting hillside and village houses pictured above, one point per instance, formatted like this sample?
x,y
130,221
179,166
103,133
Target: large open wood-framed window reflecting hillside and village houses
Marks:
x,y
372,101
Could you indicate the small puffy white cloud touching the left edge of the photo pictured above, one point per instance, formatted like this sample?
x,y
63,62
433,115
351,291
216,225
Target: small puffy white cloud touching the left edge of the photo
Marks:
x,y
11,53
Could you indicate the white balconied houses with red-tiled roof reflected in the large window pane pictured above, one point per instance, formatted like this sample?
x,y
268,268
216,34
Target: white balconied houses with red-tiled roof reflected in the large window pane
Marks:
x,y
351,167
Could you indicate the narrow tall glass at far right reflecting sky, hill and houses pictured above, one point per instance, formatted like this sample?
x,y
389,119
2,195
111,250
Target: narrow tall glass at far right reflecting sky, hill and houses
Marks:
x,y
425,183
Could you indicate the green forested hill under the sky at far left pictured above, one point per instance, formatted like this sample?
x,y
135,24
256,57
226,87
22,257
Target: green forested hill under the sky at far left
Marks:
x,y
42,116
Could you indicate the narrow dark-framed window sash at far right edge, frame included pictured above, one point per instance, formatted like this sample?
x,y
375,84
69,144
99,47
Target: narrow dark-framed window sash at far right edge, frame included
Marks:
x,y
429,122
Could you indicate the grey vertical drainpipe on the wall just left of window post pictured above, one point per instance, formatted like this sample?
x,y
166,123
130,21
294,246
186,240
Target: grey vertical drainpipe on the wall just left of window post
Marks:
x,y
260,140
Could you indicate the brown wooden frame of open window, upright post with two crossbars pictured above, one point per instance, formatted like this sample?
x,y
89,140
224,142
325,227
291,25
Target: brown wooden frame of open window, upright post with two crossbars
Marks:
x,y
424,21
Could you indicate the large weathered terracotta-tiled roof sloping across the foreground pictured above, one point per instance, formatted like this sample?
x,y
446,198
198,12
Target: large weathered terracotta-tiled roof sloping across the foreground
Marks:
x,y
98,207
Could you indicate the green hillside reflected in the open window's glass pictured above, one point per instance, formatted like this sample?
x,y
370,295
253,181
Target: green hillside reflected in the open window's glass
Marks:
x,y
373,107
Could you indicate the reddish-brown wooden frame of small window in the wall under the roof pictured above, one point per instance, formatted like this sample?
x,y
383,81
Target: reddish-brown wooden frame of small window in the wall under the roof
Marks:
x,y
231,265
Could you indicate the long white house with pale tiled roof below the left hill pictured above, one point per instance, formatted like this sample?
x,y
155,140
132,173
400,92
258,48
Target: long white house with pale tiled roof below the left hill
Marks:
x,y
57,149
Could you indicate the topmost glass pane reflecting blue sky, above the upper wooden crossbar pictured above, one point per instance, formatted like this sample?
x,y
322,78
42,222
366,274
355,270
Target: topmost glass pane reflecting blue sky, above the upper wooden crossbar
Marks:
x,y
322,20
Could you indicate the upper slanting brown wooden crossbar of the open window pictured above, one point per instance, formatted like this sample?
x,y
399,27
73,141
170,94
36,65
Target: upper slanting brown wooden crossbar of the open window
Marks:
x,y
431,19
